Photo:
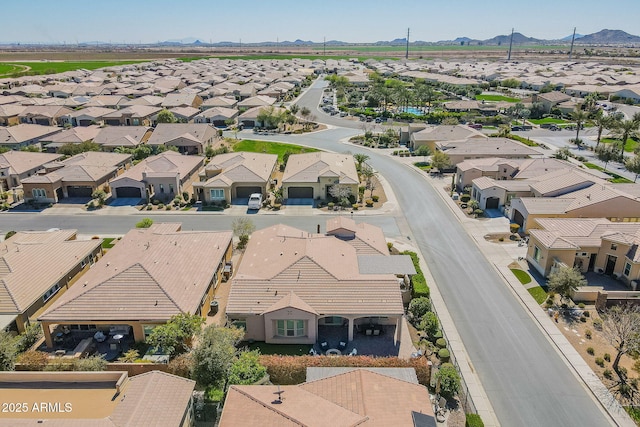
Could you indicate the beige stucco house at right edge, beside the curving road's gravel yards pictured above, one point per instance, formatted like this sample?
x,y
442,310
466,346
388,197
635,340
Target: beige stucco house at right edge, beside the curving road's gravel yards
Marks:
x,y
589,244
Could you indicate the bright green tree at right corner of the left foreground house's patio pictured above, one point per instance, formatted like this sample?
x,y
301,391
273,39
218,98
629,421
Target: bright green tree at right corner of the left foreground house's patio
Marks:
x,y
175,336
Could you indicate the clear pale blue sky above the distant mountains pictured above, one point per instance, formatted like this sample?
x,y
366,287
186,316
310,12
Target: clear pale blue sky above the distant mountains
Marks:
x,y
147,21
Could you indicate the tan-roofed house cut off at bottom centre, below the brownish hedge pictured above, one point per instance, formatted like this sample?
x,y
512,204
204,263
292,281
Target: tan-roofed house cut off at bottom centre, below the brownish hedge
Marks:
x,y
359,397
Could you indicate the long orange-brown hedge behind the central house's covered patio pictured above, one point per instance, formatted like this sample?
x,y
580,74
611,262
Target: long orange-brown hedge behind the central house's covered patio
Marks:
x,y
288,370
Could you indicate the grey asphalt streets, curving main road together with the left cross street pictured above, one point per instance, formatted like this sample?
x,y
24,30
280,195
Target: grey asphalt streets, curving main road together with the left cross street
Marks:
x,y
526,380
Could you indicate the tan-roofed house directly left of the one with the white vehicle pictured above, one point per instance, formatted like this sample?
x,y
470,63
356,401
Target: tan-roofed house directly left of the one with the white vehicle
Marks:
x,y
162,177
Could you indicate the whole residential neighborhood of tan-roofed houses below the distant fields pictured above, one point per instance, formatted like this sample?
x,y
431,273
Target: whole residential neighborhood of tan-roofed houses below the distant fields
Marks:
x,y
387,227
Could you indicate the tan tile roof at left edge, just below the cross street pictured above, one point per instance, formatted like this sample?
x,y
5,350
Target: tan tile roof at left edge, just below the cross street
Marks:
x,y
31,262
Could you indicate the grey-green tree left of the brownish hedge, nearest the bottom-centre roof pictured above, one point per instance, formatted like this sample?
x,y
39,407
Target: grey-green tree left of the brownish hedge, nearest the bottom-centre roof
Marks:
x,y
214,354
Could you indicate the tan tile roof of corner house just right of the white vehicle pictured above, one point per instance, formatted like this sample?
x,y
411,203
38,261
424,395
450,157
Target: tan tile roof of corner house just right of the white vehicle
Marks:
x,y
309,167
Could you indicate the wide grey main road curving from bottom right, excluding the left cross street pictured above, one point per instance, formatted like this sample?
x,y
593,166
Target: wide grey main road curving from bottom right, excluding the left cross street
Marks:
x,y
526,380
